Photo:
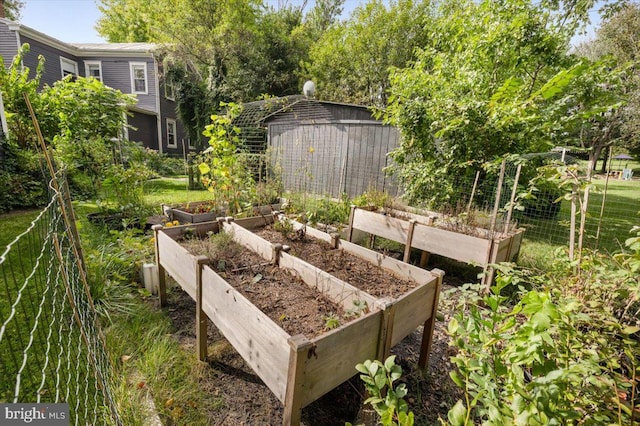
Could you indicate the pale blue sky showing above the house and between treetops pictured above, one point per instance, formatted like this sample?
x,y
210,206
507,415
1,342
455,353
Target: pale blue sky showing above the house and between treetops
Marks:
x,y
73,21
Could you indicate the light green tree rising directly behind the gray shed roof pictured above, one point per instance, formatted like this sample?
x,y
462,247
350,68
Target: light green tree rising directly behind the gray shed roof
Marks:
x,y
351,61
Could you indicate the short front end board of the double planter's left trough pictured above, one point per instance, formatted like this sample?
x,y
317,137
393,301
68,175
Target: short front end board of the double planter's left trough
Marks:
x,y
336,354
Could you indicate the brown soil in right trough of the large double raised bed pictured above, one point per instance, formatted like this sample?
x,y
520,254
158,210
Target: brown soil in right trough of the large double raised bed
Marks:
x,y
352,269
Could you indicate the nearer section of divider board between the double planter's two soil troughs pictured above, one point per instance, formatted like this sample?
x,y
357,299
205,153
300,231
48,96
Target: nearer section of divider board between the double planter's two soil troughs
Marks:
x,y
337,290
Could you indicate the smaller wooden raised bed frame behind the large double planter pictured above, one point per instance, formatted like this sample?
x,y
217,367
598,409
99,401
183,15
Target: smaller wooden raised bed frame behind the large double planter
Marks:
x,y
419,232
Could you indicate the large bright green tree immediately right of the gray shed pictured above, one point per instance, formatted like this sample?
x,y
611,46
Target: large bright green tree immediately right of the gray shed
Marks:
x,y
475,92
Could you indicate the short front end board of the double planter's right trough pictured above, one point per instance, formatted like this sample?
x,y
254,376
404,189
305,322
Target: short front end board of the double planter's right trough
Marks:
x,y
412,310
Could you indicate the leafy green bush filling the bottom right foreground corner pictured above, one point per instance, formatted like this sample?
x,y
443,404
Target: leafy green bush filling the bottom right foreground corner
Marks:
x,y
565,351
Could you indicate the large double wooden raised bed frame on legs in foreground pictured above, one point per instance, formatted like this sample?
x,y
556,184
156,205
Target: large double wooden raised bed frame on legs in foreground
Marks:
x,y
297,369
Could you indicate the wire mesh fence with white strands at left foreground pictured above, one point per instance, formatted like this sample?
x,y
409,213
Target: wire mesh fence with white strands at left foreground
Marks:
x,y
51,344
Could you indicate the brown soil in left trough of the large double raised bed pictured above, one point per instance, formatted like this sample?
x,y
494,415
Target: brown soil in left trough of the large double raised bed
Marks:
x,y
283,297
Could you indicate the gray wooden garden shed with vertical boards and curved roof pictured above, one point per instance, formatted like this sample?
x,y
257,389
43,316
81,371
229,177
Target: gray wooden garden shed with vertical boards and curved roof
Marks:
x,y
321,147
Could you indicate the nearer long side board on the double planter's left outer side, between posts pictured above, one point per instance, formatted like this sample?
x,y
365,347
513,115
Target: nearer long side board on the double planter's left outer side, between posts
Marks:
x,y
260,342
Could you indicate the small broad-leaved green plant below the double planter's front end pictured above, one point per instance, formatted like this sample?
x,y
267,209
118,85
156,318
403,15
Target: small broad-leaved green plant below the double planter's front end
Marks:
x,y
386,397
